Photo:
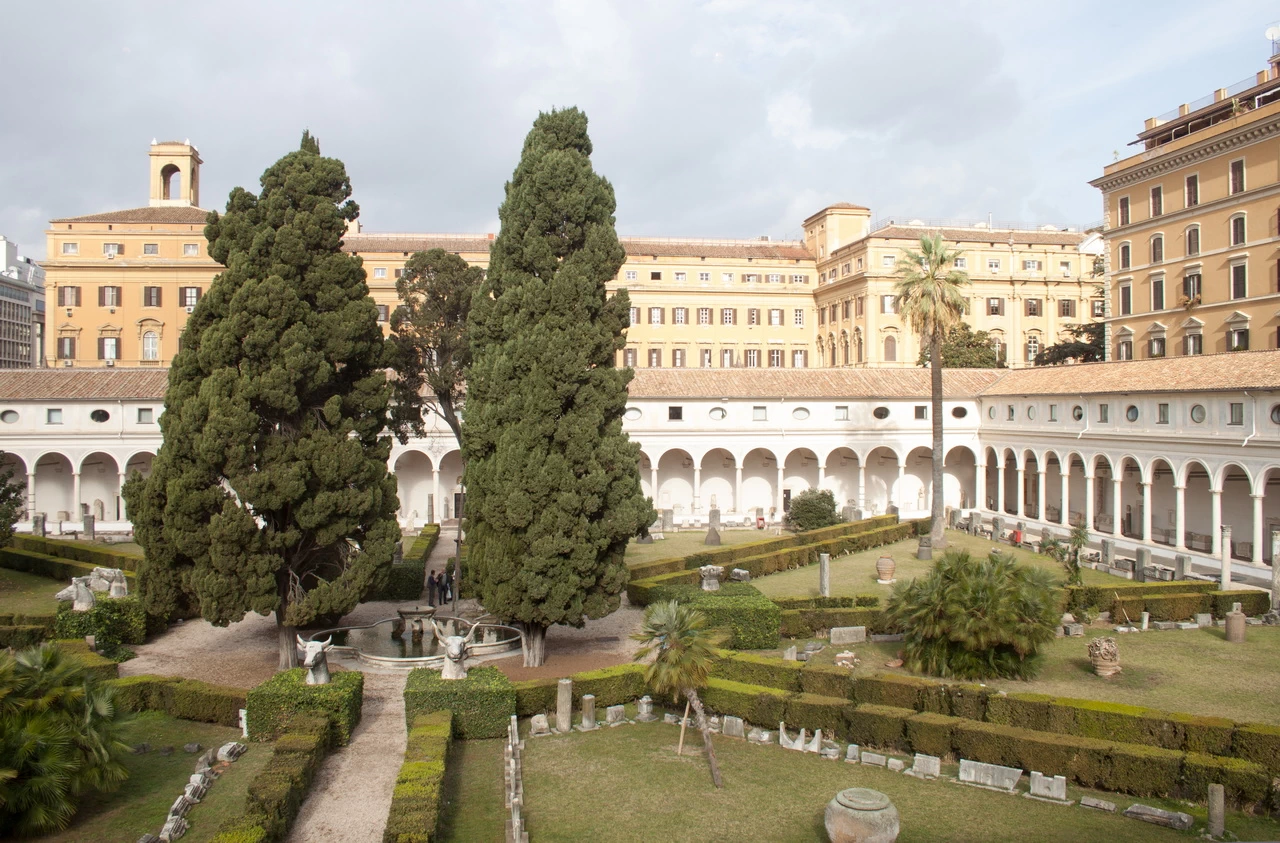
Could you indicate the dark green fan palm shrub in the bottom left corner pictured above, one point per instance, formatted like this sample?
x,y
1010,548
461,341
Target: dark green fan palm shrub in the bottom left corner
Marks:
x,y
60,734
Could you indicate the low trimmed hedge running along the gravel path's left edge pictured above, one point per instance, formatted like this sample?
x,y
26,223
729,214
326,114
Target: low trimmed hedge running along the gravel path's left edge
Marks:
x,y
278,792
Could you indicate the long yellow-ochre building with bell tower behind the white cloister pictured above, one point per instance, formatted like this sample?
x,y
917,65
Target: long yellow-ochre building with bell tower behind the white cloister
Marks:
x,y
121,285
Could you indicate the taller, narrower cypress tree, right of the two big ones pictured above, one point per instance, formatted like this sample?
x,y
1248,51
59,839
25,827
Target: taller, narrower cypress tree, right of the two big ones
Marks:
x,y
554,484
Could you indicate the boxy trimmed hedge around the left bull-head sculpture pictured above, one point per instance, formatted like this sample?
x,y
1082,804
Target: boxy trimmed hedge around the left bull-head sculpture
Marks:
x,y
286,697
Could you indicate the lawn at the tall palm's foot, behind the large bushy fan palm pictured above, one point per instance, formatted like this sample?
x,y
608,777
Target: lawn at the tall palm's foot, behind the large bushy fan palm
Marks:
x,y
856,574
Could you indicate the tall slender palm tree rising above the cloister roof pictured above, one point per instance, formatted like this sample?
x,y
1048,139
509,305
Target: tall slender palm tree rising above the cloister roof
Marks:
x,y
929,296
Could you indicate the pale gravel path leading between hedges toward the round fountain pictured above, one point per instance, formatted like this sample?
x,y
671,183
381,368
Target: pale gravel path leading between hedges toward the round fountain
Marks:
x,y
353,792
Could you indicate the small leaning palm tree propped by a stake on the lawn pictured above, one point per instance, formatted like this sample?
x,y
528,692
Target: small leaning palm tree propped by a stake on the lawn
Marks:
x,y
676,636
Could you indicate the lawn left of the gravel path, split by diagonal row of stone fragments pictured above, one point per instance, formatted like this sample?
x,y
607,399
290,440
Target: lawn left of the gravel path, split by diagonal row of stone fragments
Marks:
x,y
143,803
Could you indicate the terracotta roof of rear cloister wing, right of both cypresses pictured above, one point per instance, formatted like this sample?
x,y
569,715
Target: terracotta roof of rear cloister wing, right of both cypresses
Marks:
x,y
806,383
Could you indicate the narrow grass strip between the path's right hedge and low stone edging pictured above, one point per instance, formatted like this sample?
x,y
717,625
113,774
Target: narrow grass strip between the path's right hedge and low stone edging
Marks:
x,y
474,809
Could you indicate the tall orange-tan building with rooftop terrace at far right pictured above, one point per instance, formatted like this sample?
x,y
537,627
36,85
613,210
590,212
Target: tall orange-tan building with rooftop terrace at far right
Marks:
x,y
1191,228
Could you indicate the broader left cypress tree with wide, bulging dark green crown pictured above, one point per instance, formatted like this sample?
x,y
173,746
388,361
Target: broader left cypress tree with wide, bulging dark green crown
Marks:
x,y
271,492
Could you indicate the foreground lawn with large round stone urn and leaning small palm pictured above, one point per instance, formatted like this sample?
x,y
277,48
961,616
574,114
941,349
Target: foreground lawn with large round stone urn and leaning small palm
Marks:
x,y
628,785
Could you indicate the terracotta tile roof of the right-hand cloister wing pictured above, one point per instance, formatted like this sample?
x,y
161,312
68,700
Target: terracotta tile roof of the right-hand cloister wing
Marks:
x,y
1209,373
